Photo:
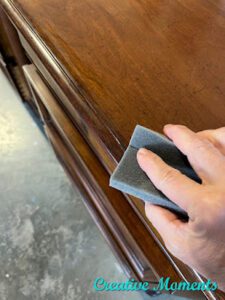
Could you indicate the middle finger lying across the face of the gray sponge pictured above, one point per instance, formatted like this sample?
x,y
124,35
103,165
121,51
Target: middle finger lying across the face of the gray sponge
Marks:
x,y
176,186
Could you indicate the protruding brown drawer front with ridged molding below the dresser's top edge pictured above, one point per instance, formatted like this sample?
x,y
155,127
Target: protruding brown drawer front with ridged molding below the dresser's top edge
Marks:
x,y
120,224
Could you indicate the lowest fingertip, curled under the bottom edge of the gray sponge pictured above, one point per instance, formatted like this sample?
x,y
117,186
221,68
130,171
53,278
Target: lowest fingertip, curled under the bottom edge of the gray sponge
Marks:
x,y
164,221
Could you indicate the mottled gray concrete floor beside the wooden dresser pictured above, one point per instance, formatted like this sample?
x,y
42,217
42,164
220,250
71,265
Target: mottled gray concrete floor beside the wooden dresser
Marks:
x,y
49,246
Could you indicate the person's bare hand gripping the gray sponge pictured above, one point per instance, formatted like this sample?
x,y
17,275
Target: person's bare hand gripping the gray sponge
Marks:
x,y
200,242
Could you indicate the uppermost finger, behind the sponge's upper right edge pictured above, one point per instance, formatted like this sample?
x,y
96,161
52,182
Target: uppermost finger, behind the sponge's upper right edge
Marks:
x,y
206,159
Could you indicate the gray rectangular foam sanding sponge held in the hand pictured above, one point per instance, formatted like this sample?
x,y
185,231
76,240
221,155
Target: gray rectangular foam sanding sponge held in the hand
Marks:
x,y
129,178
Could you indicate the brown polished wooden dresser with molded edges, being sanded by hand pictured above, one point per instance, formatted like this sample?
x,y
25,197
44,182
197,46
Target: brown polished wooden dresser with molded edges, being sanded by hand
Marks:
x,y
95,69
